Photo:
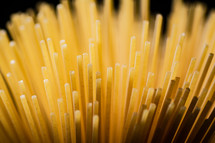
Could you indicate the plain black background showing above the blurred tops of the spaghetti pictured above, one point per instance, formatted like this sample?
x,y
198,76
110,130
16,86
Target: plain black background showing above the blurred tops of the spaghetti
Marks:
x,y
7,7
